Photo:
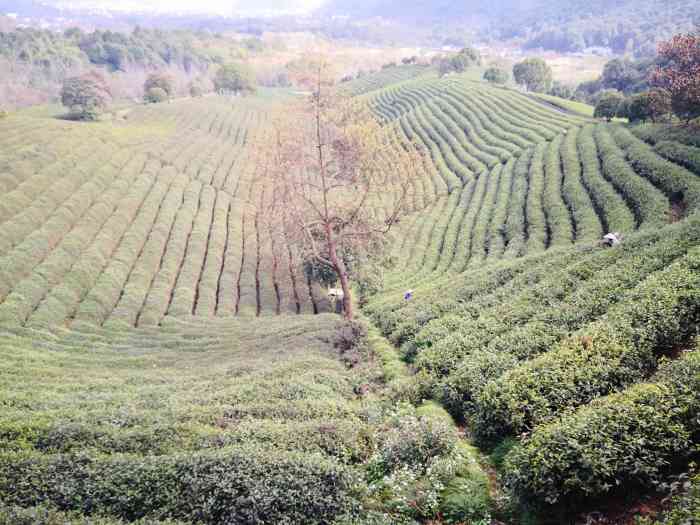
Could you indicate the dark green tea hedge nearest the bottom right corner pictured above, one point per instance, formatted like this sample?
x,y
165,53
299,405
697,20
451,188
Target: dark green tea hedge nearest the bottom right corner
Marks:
x,y
627,438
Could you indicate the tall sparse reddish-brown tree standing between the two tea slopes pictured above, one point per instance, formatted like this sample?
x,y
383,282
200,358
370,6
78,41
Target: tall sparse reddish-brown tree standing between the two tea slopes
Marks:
x,y
339,181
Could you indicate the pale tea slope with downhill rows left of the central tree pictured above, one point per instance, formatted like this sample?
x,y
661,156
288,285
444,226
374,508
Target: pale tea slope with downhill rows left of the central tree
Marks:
x,y
150,217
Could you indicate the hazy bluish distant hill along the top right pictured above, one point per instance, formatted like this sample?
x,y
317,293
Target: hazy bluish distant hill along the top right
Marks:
x,y
621,25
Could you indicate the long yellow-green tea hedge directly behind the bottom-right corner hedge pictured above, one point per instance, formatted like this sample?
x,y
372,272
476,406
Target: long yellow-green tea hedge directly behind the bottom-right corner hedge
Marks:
x,y
605,357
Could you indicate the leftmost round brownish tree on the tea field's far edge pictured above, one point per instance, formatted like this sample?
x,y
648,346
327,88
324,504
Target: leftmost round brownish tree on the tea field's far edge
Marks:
x,y
86,96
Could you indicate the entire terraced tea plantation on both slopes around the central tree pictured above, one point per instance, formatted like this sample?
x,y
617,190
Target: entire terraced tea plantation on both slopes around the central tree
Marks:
x,y
161,359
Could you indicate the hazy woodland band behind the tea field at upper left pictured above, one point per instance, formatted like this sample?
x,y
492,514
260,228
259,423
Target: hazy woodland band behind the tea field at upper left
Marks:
x,y
35,62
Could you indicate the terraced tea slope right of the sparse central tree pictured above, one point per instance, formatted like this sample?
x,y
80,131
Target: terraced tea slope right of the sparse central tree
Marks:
x,y
540,340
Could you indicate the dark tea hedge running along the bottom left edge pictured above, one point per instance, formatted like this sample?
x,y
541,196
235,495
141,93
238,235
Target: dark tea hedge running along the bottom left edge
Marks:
x,y
230,486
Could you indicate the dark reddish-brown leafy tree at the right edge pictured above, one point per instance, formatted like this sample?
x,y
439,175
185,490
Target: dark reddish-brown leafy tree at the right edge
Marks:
x,y
679,76
